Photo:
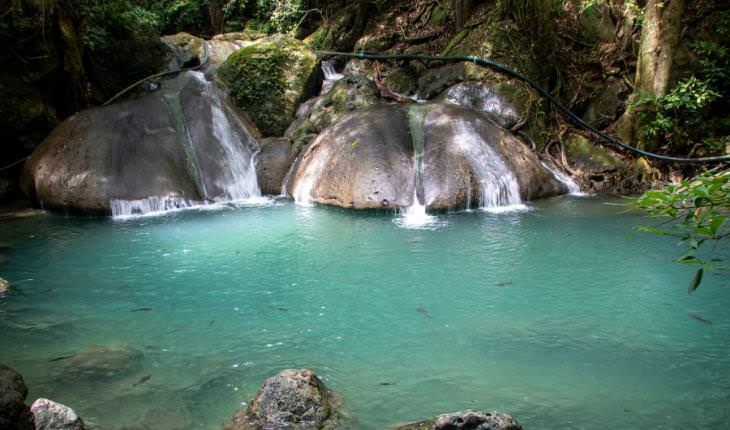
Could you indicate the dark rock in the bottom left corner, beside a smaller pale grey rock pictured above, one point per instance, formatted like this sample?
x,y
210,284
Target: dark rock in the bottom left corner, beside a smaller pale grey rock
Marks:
x,y
14,414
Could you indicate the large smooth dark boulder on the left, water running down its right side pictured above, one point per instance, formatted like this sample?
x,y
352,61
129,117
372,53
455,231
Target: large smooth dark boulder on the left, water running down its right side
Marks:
x,y
178,145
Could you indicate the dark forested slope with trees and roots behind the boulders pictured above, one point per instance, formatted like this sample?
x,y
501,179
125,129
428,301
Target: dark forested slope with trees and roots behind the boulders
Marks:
x,y
654,73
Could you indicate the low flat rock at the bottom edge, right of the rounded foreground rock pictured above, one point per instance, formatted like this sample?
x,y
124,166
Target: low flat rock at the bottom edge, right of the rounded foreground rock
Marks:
x,y
467,420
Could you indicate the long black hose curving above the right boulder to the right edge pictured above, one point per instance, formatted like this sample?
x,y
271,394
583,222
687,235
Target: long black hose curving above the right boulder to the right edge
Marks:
x,y
509,72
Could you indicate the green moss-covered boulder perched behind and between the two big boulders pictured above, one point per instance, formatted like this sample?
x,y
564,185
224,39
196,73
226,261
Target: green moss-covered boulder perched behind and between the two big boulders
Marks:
x,y
270,78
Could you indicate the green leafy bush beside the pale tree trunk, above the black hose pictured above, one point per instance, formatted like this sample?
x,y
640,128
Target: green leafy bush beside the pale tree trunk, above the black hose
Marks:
x,y
679,116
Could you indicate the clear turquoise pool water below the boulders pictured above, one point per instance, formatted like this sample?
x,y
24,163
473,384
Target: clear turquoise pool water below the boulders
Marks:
x,y
552,315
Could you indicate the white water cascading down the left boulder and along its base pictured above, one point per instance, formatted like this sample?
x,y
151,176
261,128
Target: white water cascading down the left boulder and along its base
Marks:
x,y
219,150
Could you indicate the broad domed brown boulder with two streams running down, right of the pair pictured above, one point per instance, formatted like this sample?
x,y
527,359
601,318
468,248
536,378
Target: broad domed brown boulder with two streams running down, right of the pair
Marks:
x,y
445,156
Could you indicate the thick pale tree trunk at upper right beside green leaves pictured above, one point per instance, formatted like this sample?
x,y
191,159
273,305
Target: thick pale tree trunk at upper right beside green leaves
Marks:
x,y
660,36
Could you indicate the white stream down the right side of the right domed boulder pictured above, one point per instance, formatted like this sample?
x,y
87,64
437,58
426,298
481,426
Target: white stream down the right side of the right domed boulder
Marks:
x,y
498,187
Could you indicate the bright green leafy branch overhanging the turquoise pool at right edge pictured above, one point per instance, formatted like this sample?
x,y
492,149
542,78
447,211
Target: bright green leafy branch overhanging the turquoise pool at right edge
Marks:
x,y
699,210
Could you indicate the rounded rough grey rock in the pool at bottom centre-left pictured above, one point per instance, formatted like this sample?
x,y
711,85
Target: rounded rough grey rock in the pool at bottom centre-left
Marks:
x,y
295,399
